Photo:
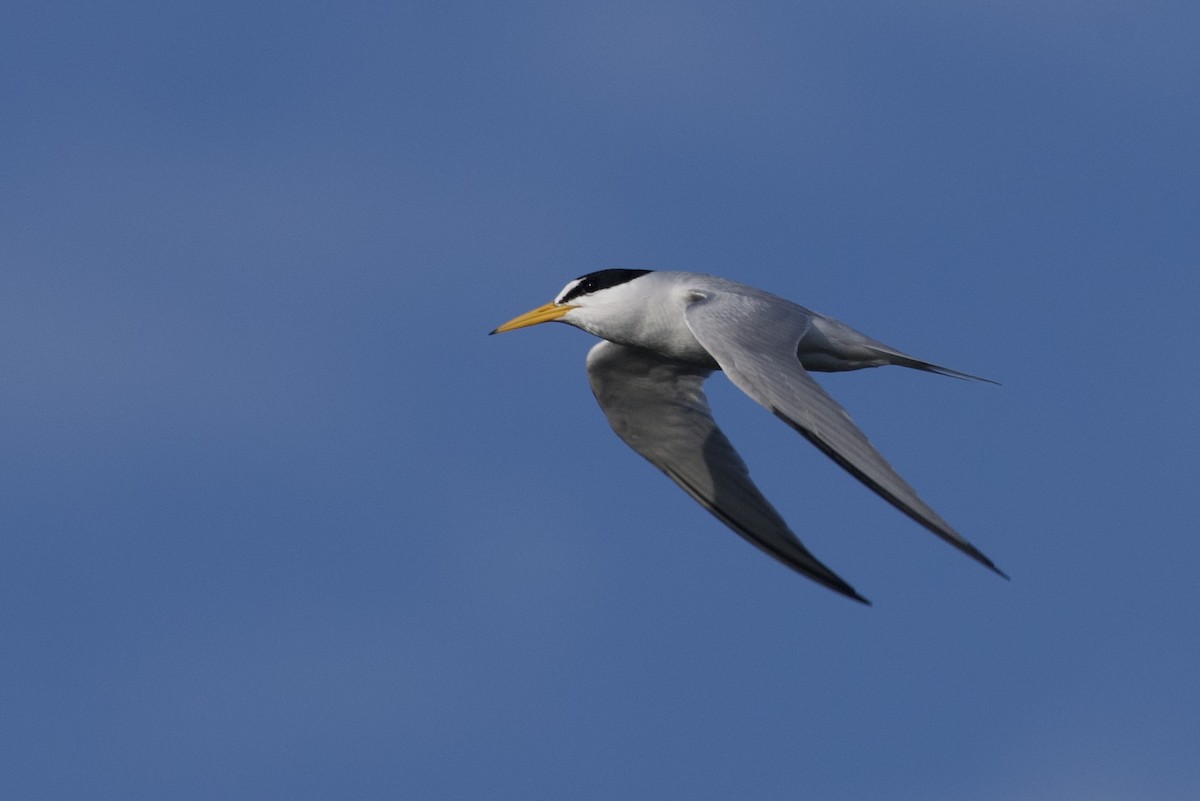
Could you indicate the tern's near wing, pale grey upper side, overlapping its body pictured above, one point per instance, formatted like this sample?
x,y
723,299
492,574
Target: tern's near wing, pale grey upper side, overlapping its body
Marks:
x,y
754,339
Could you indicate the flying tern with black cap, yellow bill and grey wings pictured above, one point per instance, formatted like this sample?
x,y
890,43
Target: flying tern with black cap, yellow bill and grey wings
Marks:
x,y
664,333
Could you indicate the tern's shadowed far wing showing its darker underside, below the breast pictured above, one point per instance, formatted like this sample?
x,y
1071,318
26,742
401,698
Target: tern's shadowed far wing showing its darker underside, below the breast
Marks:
x,y
659,408
